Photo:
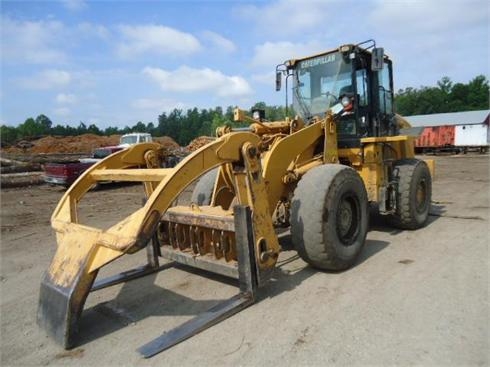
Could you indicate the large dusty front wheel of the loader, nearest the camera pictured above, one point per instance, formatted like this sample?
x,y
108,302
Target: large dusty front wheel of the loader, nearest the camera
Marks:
x,y
329,217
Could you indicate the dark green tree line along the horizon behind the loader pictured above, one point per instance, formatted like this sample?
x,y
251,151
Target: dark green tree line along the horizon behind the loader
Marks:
x,y
184,126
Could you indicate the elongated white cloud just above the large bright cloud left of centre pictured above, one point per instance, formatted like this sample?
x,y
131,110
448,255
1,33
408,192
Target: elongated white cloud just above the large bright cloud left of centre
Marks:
x,y
157,39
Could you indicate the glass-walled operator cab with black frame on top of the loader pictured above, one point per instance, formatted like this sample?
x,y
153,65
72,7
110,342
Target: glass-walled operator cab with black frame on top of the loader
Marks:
x,y
359,79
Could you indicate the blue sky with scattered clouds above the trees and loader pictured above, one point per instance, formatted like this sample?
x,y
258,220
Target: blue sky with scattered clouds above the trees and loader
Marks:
x,y
114,63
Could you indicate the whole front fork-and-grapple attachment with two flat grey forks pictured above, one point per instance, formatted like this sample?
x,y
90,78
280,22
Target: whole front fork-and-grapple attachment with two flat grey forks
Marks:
x,y
83,250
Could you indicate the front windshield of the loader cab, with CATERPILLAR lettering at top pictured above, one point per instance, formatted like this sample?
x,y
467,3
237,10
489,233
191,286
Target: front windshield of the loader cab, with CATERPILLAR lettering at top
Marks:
x,y
318,83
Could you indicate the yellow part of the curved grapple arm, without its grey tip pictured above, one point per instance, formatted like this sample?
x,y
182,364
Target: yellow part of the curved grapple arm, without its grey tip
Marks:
x,y
91,248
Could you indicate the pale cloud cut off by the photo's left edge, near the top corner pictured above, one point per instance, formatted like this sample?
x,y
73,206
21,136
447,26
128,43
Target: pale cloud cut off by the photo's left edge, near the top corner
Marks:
x,y
34,42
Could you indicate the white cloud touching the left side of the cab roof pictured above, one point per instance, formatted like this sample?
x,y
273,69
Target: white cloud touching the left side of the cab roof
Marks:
x,y
273,53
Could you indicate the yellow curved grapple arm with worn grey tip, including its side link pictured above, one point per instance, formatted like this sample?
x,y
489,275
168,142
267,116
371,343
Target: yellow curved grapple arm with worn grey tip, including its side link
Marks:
x,y
83,250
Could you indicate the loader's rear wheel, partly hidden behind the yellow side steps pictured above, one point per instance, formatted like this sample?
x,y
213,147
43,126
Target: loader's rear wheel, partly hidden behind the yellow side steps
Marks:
x,y
413,195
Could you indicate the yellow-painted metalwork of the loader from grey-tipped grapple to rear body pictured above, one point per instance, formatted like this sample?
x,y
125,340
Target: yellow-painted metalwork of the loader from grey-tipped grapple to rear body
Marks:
x,y
259,169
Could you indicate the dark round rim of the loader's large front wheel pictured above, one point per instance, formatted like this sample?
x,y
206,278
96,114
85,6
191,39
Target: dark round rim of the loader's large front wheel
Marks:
x,y
348,219
